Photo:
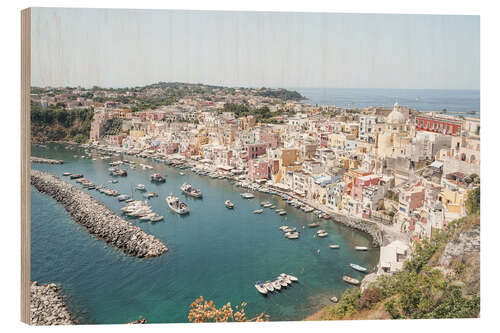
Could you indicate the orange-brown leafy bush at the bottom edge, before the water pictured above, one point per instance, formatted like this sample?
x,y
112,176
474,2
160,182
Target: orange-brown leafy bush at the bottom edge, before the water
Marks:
x,y
202,311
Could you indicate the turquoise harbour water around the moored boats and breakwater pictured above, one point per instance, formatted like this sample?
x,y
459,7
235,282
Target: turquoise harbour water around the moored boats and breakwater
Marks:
x,y
214,252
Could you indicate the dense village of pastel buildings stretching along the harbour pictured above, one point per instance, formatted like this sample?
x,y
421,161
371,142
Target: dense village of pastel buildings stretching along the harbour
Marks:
x,y
406,171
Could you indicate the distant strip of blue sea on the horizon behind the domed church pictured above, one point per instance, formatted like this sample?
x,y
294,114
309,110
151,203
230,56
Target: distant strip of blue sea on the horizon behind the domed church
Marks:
x,y
456,102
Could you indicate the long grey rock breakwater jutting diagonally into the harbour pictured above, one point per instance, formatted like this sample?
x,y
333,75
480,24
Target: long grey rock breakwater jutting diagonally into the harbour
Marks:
x,y
99,220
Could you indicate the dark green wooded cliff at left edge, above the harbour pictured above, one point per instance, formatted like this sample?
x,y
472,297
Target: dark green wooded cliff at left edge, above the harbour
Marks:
x,y
57,123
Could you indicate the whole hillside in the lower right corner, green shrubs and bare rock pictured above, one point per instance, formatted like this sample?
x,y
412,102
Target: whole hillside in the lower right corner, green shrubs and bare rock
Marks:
x,y
441,280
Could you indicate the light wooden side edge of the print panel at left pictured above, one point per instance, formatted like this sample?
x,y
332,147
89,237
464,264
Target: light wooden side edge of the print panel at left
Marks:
x,y
25,163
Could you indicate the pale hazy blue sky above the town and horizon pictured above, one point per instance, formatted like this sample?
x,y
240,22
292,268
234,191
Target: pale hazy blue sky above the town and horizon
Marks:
x,y
124,48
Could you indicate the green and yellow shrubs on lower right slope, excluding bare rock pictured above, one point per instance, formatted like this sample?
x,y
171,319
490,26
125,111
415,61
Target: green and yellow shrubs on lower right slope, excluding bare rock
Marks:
x,y
419,290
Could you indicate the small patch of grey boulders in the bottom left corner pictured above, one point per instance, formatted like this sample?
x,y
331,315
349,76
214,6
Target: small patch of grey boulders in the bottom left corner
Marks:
x,y
47,306
